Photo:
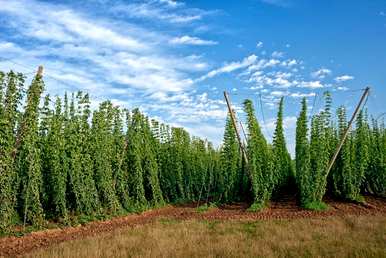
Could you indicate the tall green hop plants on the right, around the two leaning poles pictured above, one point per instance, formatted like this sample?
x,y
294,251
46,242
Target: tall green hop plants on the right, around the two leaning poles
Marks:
x,y
359,168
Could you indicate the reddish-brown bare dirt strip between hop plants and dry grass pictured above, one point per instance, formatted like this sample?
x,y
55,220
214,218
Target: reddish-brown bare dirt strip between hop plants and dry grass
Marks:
x,y
286,209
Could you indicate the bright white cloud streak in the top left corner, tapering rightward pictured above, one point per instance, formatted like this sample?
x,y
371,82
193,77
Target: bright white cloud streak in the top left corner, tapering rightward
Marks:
x,y
63,25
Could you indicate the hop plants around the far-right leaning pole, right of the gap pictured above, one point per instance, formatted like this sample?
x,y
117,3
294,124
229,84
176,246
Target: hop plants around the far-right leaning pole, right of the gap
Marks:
x,y
360,166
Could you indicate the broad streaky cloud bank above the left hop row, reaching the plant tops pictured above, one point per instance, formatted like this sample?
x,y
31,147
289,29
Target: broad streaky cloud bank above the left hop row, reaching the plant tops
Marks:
x,y
129,62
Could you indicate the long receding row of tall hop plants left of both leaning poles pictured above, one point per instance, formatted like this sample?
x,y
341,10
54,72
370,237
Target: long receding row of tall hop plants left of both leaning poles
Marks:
x,y
60,159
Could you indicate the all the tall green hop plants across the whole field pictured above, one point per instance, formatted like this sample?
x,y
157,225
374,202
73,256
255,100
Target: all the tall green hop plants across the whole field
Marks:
x,y
60,158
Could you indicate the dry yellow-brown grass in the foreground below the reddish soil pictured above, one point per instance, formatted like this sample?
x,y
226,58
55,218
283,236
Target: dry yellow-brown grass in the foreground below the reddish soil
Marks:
x,y
363,236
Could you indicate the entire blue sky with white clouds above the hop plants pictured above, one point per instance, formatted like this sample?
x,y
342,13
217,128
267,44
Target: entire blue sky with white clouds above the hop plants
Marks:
x,y
173,59
